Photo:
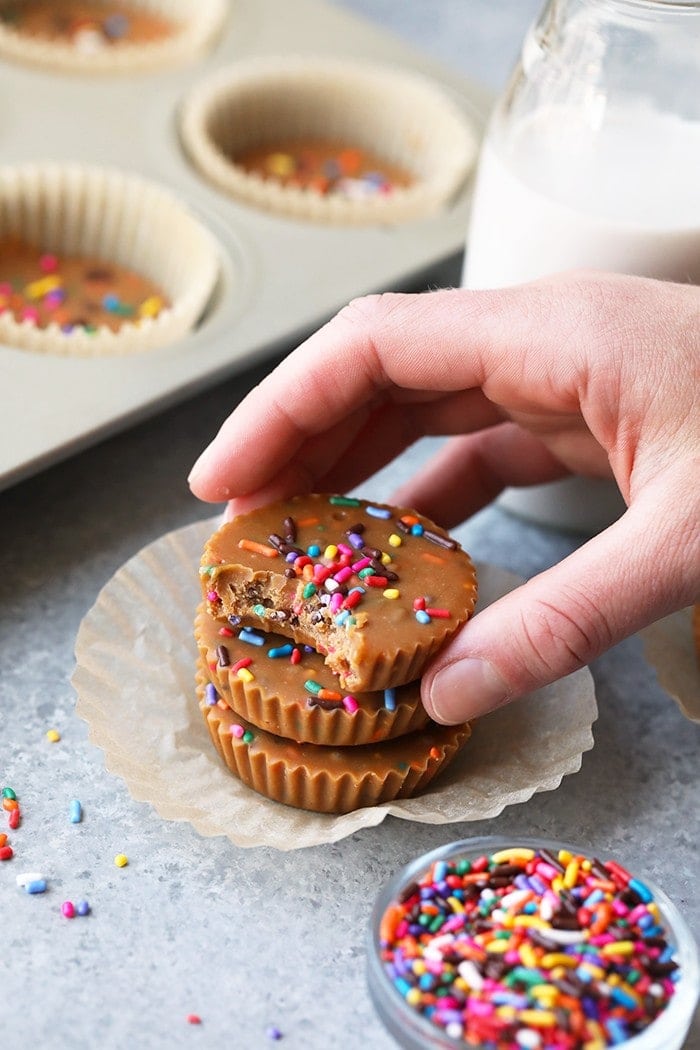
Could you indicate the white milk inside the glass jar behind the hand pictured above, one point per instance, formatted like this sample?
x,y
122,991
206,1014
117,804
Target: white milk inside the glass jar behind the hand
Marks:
x,y
626,198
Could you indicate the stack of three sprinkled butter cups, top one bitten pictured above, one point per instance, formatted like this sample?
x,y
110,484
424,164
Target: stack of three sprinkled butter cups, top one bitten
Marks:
x,y
319,615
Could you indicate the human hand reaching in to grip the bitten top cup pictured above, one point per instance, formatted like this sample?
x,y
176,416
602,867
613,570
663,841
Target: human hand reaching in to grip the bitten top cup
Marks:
x,y
593,374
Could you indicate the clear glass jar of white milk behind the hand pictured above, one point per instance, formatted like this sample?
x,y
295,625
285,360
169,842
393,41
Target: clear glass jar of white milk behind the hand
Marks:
x,y
592,160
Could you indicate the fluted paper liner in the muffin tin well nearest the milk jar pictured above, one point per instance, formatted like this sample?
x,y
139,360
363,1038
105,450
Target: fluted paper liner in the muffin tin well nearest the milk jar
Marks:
x,y
401,117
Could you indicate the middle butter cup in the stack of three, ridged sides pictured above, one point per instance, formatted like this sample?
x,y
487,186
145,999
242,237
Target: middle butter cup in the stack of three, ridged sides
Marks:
x,y
286,712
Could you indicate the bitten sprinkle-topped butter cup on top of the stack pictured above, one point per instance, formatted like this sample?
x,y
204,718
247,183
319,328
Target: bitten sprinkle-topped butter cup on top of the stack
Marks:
x,y
375,590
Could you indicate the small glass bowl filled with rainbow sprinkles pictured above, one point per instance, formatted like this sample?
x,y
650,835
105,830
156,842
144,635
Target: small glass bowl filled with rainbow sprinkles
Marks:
x,y
524,944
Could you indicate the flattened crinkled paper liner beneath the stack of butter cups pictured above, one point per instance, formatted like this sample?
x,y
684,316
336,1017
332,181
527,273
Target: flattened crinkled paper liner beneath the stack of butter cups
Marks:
x,y
136,658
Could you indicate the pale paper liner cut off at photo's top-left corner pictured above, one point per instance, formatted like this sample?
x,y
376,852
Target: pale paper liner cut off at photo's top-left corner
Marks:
x,y
196,25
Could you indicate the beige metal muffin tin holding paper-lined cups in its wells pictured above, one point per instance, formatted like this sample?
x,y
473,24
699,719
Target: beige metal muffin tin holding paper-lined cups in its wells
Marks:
x,y
278,278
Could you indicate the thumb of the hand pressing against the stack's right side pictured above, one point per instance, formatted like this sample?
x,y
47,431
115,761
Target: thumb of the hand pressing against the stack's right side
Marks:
x,y
631,575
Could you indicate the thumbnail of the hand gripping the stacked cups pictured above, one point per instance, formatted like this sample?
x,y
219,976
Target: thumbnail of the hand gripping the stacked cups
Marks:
x,y
466,689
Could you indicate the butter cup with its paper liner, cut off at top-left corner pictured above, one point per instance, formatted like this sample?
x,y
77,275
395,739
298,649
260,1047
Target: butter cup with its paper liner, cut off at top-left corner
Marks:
x,y
180,31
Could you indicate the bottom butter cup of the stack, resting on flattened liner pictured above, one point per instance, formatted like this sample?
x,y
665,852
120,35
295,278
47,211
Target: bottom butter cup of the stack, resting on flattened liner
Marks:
x,y
329,780
